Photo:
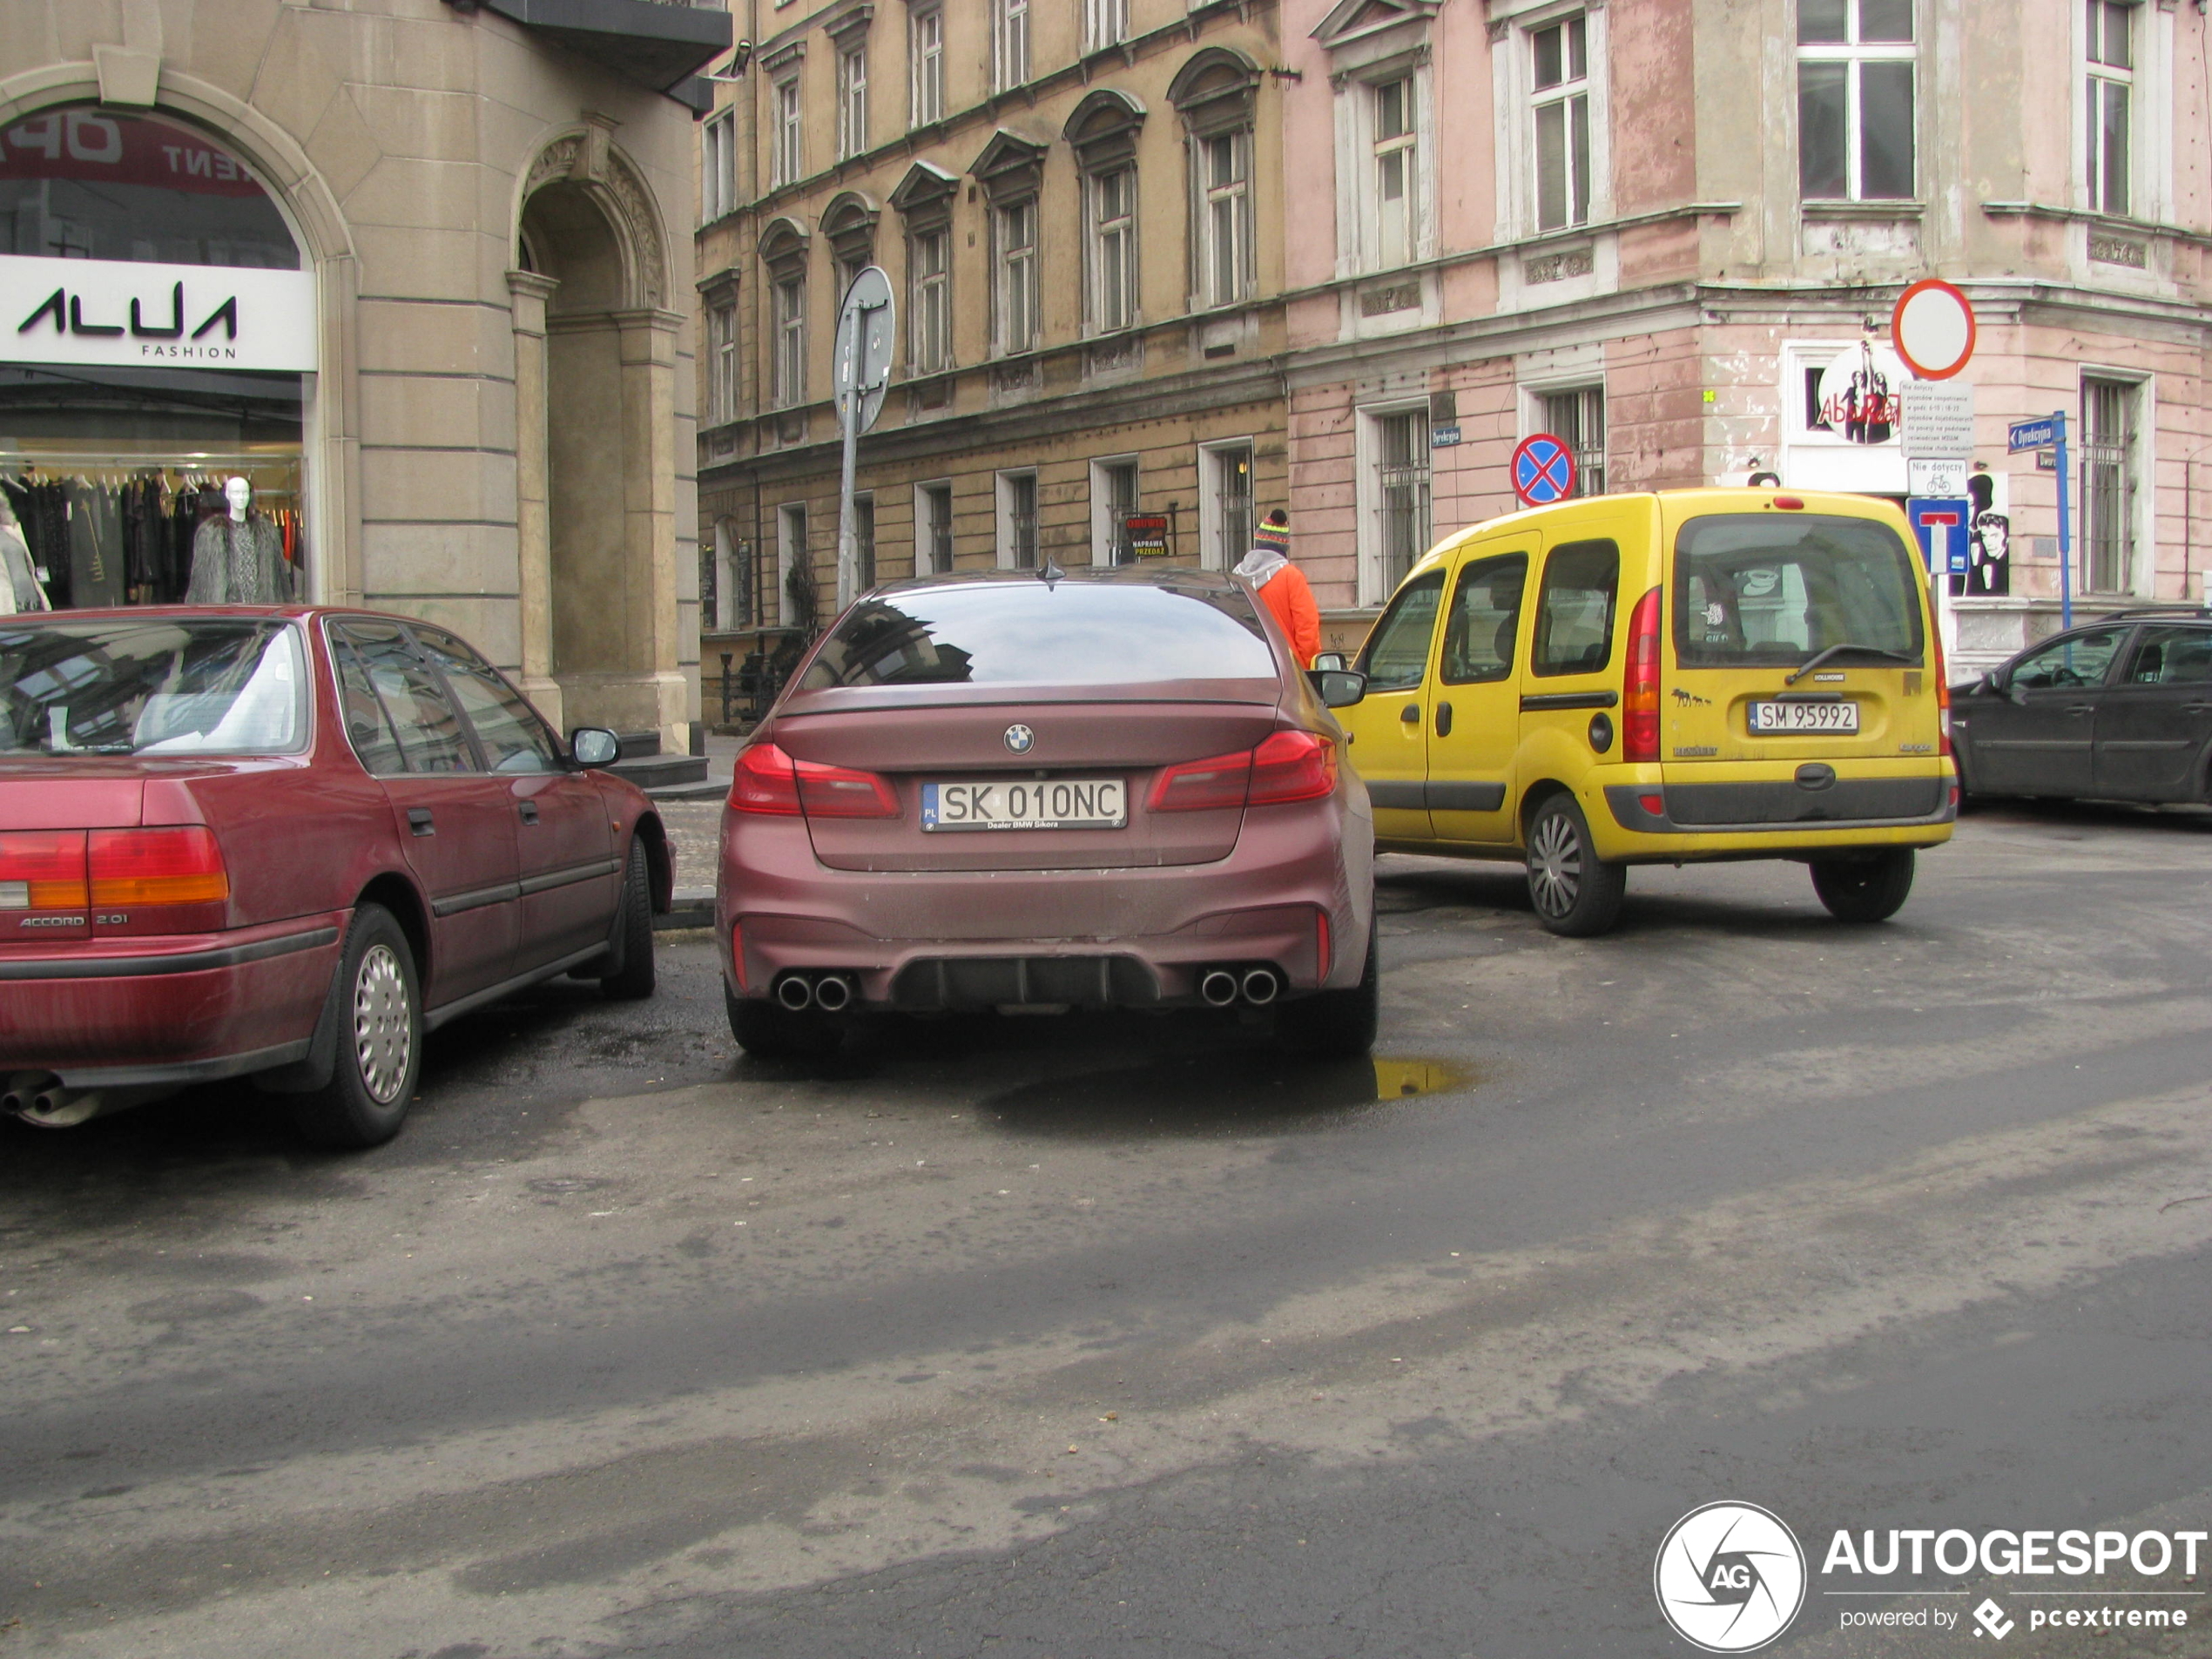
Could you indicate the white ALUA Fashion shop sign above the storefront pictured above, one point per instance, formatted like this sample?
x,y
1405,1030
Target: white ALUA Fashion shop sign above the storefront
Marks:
x,y
114,313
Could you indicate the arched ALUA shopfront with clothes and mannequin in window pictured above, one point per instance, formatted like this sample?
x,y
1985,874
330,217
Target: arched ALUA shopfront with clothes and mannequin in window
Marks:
x,y
158,366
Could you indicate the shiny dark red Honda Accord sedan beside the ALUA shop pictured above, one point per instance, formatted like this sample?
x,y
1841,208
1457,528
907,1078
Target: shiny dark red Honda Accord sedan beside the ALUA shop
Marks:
x,y
286,844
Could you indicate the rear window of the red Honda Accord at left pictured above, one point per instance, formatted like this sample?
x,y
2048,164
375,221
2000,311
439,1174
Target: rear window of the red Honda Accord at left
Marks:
x,y
158,687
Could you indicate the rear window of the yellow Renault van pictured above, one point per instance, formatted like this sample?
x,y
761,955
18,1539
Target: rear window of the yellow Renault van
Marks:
x,y
1773,589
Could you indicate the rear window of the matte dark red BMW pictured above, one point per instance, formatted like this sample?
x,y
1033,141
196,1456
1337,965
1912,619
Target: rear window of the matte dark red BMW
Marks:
x,y
1045,634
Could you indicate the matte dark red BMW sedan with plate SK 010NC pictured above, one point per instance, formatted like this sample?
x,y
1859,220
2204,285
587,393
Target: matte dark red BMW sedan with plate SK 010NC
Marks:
x,y
1039,793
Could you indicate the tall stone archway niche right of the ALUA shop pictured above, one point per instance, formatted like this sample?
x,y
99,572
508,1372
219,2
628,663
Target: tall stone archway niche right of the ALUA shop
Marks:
x,y
596,446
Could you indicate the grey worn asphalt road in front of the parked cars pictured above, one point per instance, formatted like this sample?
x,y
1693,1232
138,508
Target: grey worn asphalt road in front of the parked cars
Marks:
x,y
1123,1337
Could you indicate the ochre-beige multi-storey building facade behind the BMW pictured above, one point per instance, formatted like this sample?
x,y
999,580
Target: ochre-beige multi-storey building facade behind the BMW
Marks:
x,y
1078,209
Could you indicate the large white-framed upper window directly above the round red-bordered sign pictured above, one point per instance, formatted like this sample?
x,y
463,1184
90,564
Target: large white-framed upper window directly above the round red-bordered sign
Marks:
x,y
1857,101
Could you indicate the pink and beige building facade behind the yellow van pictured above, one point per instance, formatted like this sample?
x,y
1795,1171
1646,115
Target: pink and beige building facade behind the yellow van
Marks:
x,y
1673,233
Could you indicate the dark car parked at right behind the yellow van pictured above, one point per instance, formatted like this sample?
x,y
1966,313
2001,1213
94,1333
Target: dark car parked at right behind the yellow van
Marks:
x,y
2111,711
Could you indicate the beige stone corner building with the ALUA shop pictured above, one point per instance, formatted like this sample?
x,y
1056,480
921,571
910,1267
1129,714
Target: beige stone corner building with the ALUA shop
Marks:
x,y
446,264
